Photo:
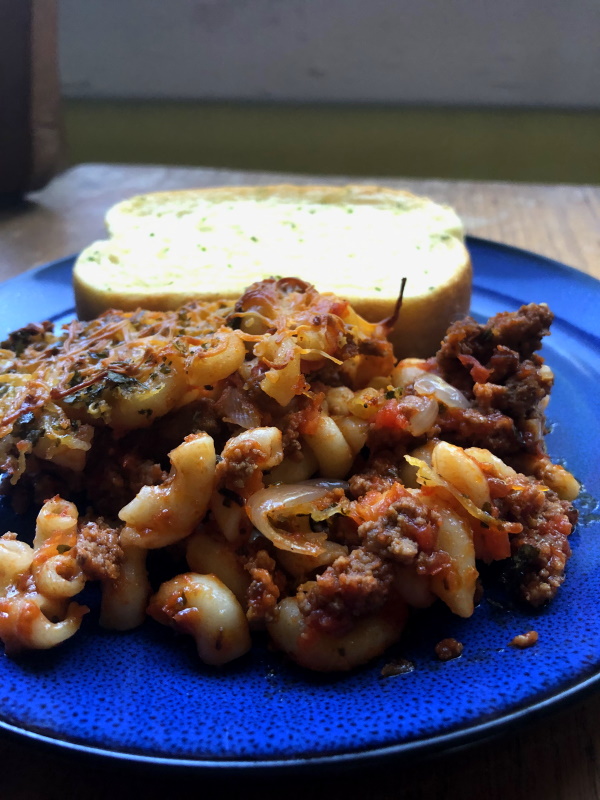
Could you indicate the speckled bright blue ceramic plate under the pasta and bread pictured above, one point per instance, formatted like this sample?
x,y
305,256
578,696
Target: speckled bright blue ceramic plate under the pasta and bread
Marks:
x,y
143,696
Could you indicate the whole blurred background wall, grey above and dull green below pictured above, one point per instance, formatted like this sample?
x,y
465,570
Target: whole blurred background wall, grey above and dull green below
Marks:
x,y
441,88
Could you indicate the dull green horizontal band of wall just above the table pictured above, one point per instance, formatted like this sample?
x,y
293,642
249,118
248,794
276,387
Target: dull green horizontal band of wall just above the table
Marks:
x,y
522,145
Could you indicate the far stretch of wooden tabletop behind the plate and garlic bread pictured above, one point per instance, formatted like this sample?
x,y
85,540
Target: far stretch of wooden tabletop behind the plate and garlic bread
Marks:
x,y
562,222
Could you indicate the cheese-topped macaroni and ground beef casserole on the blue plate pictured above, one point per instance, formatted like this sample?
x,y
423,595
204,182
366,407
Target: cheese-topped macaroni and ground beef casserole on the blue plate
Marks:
x,y
282,469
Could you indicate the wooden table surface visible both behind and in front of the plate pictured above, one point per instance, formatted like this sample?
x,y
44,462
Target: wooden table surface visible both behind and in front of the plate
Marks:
x,y
557,756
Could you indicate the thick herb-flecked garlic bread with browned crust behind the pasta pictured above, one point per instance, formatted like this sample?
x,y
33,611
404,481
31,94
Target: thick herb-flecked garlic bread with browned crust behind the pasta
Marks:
x,y
356,241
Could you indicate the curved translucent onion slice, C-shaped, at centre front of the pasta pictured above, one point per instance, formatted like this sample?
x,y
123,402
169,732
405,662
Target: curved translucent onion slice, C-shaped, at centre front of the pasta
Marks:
x,y
287,500
